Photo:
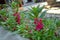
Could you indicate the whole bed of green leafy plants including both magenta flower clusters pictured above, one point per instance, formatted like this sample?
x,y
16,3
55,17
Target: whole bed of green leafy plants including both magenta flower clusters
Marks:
x,y
38,28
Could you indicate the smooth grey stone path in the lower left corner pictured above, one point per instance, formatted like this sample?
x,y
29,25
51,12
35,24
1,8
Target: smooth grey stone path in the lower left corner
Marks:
x,y
5,35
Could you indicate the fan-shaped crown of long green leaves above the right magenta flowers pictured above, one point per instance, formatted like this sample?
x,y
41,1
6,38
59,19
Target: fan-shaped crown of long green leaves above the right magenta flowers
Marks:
x,y
36,12
